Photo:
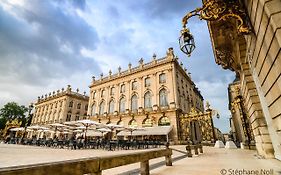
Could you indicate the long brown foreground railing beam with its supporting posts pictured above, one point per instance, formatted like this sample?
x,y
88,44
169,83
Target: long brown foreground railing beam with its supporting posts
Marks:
x,y
93,165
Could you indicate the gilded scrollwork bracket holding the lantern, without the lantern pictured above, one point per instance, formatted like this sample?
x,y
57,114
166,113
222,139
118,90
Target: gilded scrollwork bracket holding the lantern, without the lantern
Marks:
x,y
217,10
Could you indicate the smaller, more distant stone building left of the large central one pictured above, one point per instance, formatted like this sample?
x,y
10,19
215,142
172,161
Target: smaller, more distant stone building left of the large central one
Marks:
x,y
60,106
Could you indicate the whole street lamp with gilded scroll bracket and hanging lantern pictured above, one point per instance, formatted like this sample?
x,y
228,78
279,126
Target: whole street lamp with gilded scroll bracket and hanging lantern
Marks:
x,y
214,10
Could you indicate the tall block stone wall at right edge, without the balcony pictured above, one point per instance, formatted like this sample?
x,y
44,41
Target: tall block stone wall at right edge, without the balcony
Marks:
x,y
261,73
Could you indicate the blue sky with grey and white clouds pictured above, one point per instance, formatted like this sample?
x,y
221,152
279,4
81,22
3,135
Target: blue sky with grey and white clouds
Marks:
x,y
45,45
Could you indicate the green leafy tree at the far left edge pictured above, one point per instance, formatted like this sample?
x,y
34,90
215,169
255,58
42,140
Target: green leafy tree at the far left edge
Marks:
x,y
12,111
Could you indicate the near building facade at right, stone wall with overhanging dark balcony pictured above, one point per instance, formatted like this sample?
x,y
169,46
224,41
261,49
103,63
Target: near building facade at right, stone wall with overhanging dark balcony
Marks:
x,y
256,58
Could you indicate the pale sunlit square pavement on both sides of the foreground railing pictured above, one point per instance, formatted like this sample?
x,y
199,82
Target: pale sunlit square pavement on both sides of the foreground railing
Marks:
x,y
213,161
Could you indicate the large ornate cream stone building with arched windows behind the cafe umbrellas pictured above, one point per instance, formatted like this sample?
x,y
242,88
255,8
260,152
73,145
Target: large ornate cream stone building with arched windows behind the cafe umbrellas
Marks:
x,y
151,94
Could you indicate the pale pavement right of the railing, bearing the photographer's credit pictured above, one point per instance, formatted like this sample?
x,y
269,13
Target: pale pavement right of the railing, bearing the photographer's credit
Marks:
x,y
216,161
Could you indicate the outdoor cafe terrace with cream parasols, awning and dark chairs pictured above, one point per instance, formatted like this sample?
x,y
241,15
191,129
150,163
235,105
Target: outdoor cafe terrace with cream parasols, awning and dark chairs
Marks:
x,y
88,137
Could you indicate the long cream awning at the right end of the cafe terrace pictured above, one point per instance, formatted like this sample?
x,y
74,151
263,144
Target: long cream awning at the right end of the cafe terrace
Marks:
x,y
157,130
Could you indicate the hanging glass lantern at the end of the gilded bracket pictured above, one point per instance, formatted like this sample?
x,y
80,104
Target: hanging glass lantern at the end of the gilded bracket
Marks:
x,y
186,42
